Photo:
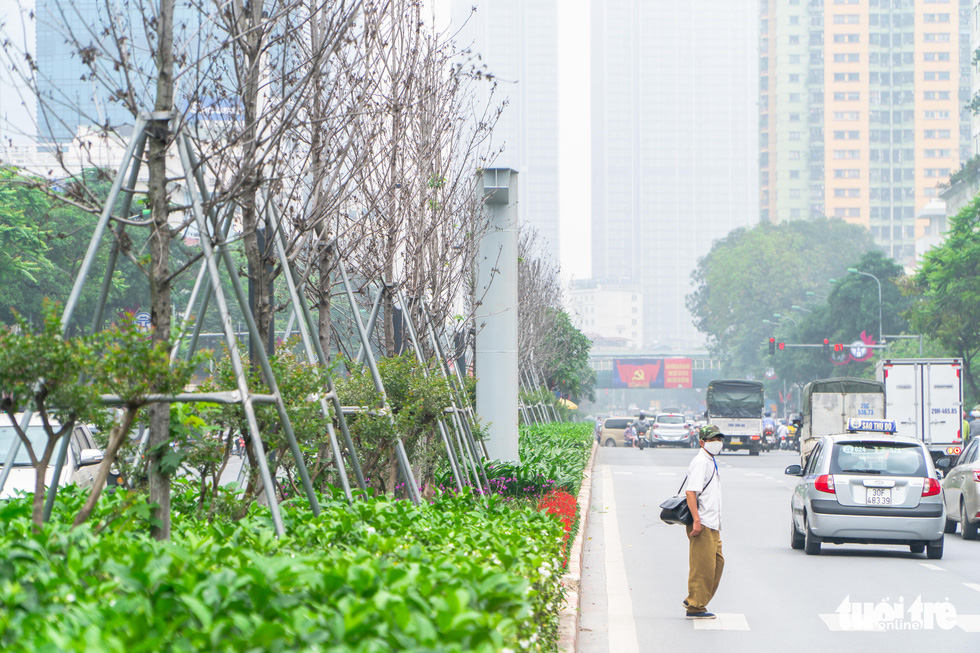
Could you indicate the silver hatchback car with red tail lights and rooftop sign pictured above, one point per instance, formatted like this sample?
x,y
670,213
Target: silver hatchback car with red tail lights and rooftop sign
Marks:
x,y
868,488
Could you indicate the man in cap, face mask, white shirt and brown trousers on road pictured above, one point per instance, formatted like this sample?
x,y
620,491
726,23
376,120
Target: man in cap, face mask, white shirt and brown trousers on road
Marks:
x,y
703,491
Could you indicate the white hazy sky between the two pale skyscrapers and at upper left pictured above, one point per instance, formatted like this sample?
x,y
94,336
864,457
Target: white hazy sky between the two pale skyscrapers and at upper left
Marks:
x,y
573,119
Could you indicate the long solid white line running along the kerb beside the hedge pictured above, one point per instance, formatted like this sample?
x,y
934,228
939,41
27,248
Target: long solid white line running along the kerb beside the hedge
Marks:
x,y
622,626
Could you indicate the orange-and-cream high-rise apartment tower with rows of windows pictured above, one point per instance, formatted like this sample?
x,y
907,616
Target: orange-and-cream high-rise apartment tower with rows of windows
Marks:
x,y
862,111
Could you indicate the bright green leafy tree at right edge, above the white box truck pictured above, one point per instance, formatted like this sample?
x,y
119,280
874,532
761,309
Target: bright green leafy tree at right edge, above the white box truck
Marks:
x,y
947,292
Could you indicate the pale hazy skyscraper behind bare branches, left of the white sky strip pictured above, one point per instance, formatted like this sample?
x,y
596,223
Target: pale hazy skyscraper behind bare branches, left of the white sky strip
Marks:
x,y
517,40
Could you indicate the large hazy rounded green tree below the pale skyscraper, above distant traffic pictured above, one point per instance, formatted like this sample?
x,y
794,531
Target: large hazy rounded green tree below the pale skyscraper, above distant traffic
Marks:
x,y
755,272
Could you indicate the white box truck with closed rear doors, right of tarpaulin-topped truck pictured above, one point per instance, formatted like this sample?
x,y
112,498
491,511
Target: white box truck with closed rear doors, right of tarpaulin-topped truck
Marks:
x,y
924,396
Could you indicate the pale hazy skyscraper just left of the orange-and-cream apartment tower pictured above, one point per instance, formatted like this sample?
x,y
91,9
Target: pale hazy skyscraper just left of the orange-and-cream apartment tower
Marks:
x,y
674,144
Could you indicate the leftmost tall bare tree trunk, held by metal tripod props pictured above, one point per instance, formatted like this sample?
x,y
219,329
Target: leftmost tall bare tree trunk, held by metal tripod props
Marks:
x,y
159,139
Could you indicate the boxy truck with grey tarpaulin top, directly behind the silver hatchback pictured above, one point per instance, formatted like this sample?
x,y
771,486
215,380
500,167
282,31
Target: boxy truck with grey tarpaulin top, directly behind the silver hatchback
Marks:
x,y
828,404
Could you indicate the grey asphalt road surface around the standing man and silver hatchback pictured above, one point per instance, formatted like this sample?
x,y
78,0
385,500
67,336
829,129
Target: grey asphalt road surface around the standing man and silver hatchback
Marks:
x,y
771,597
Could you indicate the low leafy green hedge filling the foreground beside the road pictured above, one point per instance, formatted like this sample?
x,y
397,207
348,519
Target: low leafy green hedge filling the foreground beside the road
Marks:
x,y
460,574
